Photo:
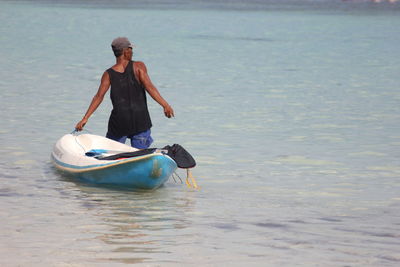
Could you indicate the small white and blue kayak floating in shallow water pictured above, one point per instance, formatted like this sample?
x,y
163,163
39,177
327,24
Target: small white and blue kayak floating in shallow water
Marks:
x,y
100,160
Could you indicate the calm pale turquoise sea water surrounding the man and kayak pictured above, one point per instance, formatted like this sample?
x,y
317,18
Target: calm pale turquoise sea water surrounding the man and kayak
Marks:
x,y
291,109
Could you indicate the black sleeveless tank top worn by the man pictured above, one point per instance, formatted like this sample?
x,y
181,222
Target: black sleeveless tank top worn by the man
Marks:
x,y
130,114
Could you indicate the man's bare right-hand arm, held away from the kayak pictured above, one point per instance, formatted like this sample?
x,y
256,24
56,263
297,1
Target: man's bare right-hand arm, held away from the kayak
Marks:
x,y
144,79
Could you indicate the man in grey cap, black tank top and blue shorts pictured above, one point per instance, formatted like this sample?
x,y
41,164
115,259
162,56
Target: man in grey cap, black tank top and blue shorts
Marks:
x,y
129,82
